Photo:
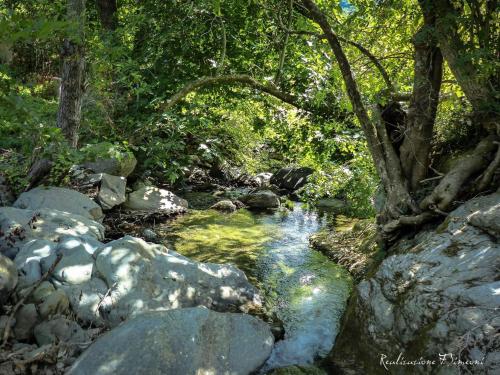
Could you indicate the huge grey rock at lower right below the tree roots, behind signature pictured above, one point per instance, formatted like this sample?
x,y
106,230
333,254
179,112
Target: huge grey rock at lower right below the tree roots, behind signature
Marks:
x,y
438,294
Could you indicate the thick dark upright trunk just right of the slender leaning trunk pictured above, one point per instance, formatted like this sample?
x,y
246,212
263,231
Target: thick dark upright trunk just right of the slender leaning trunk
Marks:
x,y
428,72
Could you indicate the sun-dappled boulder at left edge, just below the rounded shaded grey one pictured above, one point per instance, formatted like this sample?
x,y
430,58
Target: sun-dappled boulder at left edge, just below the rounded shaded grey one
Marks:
x,y
18,227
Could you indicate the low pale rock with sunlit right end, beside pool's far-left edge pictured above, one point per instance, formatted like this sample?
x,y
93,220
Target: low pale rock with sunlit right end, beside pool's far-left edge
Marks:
x,y
150,198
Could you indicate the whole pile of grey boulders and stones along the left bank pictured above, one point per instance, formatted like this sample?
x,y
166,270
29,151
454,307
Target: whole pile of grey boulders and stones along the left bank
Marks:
x,y
142,291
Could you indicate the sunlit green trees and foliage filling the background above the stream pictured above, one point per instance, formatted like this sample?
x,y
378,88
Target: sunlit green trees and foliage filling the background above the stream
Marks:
x,y
368,93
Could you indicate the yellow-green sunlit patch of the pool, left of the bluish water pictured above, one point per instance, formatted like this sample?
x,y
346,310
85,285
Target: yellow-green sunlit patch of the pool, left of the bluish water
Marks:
x,y
211,236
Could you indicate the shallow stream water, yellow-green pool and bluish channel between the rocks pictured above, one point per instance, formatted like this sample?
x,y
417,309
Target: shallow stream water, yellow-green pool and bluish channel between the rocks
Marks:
x,y
305,290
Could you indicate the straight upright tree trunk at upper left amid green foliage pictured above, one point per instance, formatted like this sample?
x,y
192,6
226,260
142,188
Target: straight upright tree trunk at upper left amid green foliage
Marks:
x,y
72,77
